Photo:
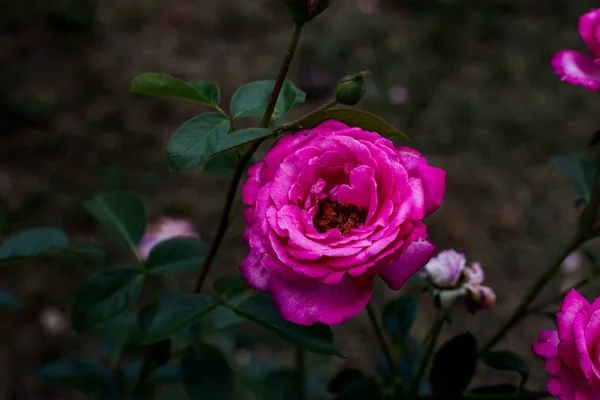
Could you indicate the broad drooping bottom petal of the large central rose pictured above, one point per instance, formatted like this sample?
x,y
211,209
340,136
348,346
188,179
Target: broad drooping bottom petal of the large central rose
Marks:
x,y
306,301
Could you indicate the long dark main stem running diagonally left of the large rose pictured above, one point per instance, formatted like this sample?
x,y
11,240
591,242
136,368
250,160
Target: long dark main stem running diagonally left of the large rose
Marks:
x,y
241,165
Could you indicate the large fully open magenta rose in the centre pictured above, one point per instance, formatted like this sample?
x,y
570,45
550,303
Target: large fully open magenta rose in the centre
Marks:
x,y
330,208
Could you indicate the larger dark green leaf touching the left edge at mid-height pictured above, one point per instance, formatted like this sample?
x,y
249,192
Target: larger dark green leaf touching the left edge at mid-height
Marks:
x,y
33,242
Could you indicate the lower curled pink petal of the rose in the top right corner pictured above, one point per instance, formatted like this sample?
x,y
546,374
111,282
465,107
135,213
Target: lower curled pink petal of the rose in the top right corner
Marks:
x,y
577,68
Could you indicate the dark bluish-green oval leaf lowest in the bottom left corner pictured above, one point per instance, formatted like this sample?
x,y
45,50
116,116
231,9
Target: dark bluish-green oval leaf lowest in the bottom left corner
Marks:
x,y
82,374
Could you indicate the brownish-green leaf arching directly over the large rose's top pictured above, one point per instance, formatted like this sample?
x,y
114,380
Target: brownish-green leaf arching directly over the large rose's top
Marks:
x,y
356,118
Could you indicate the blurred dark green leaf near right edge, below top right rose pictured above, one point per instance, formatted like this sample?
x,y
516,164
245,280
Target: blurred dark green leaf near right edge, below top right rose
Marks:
x,y
580,170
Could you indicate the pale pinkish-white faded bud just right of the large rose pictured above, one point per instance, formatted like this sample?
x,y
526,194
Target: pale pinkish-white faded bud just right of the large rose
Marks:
x,y
445,271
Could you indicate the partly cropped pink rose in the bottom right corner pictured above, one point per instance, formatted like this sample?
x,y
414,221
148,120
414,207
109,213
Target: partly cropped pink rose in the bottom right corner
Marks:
x,y
571,352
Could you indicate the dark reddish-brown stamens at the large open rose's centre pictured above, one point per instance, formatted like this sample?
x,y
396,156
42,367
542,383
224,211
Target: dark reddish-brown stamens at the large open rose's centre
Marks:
x,y
332,214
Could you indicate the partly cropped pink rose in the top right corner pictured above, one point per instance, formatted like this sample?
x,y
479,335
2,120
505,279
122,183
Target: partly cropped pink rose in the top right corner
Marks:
x,y
578,68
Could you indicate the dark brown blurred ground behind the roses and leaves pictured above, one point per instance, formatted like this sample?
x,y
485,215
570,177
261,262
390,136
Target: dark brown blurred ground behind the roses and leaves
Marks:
x,y
468,81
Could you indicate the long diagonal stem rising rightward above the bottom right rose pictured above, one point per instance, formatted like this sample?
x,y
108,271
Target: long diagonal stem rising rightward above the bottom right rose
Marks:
x,y
521,310
